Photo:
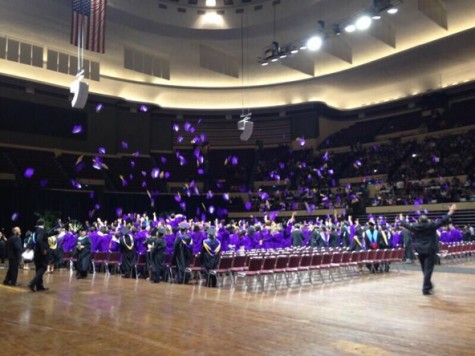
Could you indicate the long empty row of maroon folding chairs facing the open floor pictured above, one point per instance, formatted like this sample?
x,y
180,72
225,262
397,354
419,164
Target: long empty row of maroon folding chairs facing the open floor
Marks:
x,y
300,265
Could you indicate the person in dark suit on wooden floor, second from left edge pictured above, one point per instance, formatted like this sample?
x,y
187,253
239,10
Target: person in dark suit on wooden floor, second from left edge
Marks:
x,y
41,247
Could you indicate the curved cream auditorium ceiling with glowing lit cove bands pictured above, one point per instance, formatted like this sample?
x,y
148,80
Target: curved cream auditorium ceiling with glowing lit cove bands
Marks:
x,y
211,57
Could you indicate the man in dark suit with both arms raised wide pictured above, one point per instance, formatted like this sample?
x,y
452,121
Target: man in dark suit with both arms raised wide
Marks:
x,y
426,244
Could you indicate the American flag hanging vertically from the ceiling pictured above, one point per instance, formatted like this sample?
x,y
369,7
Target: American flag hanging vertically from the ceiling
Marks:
x,y
89,19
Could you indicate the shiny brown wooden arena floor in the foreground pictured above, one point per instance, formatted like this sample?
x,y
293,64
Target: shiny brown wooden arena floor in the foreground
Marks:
x,y
382,314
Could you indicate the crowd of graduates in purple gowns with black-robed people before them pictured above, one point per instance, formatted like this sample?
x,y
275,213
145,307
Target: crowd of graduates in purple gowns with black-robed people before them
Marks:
x,y
176,239
